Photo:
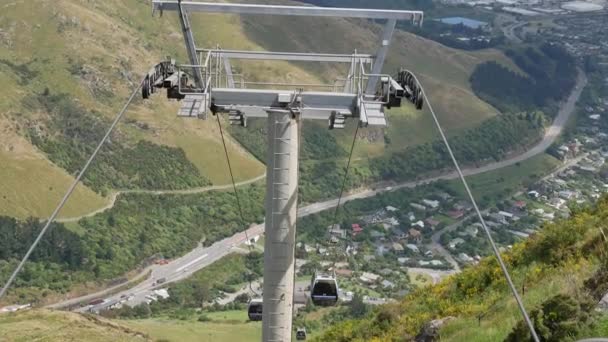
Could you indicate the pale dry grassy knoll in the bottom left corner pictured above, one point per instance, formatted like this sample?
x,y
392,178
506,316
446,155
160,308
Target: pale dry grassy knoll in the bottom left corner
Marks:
x,y
45,325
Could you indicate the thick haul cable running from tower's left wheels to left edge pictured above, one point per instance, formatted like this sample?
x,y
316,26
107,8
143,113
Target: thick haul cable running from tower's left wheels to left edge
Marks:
x,y
69,192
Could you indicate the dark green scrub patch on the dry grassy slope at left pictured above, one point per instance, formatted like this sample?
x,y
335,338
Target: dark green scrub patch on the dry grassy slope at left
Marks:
x,y
71,134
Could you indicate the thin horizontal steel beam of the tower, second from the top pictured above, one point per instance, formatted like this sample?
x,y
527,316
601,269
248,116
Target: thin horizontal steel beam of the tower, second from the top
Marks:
x,y
292,56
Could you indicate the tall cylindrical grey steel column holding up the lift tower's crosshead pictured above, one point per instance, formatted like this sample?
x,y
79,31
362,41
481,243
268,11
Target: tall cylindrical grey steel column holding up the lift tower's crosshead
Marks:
x,y
281,214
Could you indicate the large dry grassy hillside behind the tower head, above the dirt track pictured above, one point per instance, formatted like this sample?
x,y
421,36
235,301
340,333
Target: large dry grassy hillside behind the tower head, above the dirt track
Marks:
x,y
74,61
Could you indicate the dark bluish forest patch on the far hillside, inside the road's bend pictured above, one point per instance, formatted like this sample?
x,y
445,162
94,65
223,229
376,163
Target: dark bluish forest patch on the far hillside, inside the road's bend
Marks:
x,y
551,75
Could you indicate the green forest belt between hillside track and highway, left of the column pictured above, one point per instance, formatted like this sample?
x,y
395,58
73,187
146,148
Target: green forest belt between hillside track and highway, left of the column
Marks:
x,y
110,244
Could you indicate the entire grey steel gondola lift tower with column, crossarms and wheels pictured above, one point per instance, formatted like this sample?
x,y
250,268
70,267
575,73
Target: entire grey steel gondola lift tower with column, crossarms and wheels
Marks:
x,y
208,85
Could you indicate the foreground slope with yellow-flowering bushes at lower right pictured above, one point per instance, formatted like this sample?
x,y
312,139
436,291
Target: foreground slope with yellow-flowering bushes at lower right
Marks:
x,y
562,271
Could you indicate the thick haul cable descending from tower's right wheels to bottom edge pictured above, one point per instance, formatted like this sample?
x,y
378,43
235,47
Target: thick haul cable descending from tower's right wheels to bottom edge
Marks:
x,y
481,219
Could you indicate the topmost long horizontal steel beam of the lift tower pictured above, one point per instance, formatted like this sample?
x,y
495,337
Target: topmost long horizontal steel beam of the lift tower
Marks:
x,y
172,5
